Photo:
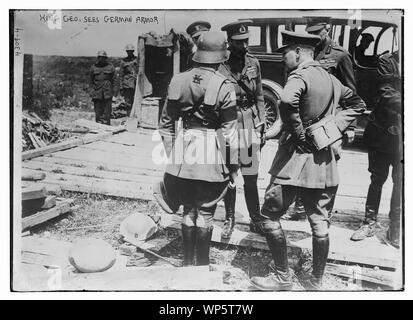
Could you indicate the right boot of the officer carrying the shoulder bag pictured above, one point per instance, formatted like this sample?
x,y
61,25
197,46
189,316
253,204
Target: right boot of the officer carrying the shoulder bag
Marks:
x,y
314,280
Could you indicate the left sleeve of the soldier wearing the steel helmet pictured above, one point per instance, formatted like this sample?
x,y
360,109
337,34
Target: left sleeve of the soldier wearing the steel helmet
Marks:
x,y
170,114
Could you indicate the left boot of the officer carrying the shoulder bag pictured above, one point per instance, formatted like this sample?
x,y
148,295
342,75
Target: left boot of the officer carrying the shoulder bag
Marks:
x,y
281,279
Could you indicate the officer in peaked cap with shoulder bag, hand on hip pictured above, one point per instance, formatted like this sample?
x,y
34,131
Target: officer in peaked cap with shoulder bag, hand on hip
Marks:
x,y
309,95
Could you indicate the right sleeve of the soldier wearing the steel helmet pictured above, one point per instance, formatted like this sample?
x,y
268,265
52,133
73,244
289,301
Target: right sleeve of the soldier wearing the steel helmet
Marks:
x,y
228,133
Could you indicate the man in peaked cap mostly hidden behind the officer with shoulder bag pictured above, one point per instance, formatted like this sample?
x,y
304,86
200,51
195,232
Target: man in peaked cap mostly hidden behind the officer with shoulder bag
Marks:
x,y
336,60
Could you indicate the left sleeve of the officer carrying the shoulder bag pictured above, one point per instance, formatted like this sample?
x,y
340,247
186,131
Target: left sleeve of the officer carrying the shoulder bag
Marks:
x,y
289,107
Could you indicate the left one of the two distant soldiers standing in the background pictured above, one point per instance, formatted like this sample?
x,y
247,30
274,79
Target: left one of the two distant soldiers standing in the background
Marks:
x,y
102,78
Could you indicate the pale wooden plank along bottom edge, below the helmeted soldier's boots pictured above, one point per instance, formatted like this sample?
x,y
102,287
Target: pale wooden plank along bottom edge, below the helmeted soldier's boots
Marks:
x,y
150,278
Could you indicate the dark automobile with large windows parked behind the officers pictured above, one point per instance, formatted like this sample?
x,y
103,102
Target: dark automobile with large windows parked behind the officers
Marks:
x,y
346,31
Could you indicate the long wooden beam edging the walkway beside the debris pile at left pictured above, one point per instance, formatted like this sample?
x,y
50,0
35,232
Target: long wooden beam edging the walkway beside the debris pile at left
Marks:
x,y
67,144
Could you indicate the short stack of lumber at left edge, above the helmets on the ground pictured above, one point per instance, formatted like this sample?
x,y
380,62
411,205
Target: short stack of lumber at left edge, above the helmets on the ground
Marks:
x,y
38,205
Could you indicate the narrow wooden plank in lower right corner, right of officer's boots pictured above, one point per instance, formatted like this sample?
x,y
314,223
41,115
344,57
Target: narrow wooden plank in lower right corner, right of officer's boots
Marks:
x,y
382,277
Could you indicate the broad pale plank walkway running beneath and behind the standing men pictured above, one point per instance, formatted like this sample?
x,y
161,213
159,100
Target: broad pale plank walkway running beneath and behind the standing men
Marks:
x,y
127,164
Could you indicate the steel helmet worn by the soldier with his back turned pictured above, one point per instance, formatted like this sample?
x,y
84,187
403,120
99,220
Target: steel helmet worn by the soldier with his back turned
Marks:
x,y
211,48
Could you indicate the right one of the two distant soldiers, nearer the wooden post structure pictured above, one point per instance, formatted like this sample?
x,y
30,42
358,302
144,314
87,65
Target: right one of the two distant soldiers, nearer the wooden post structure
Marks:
x,y
127,76
